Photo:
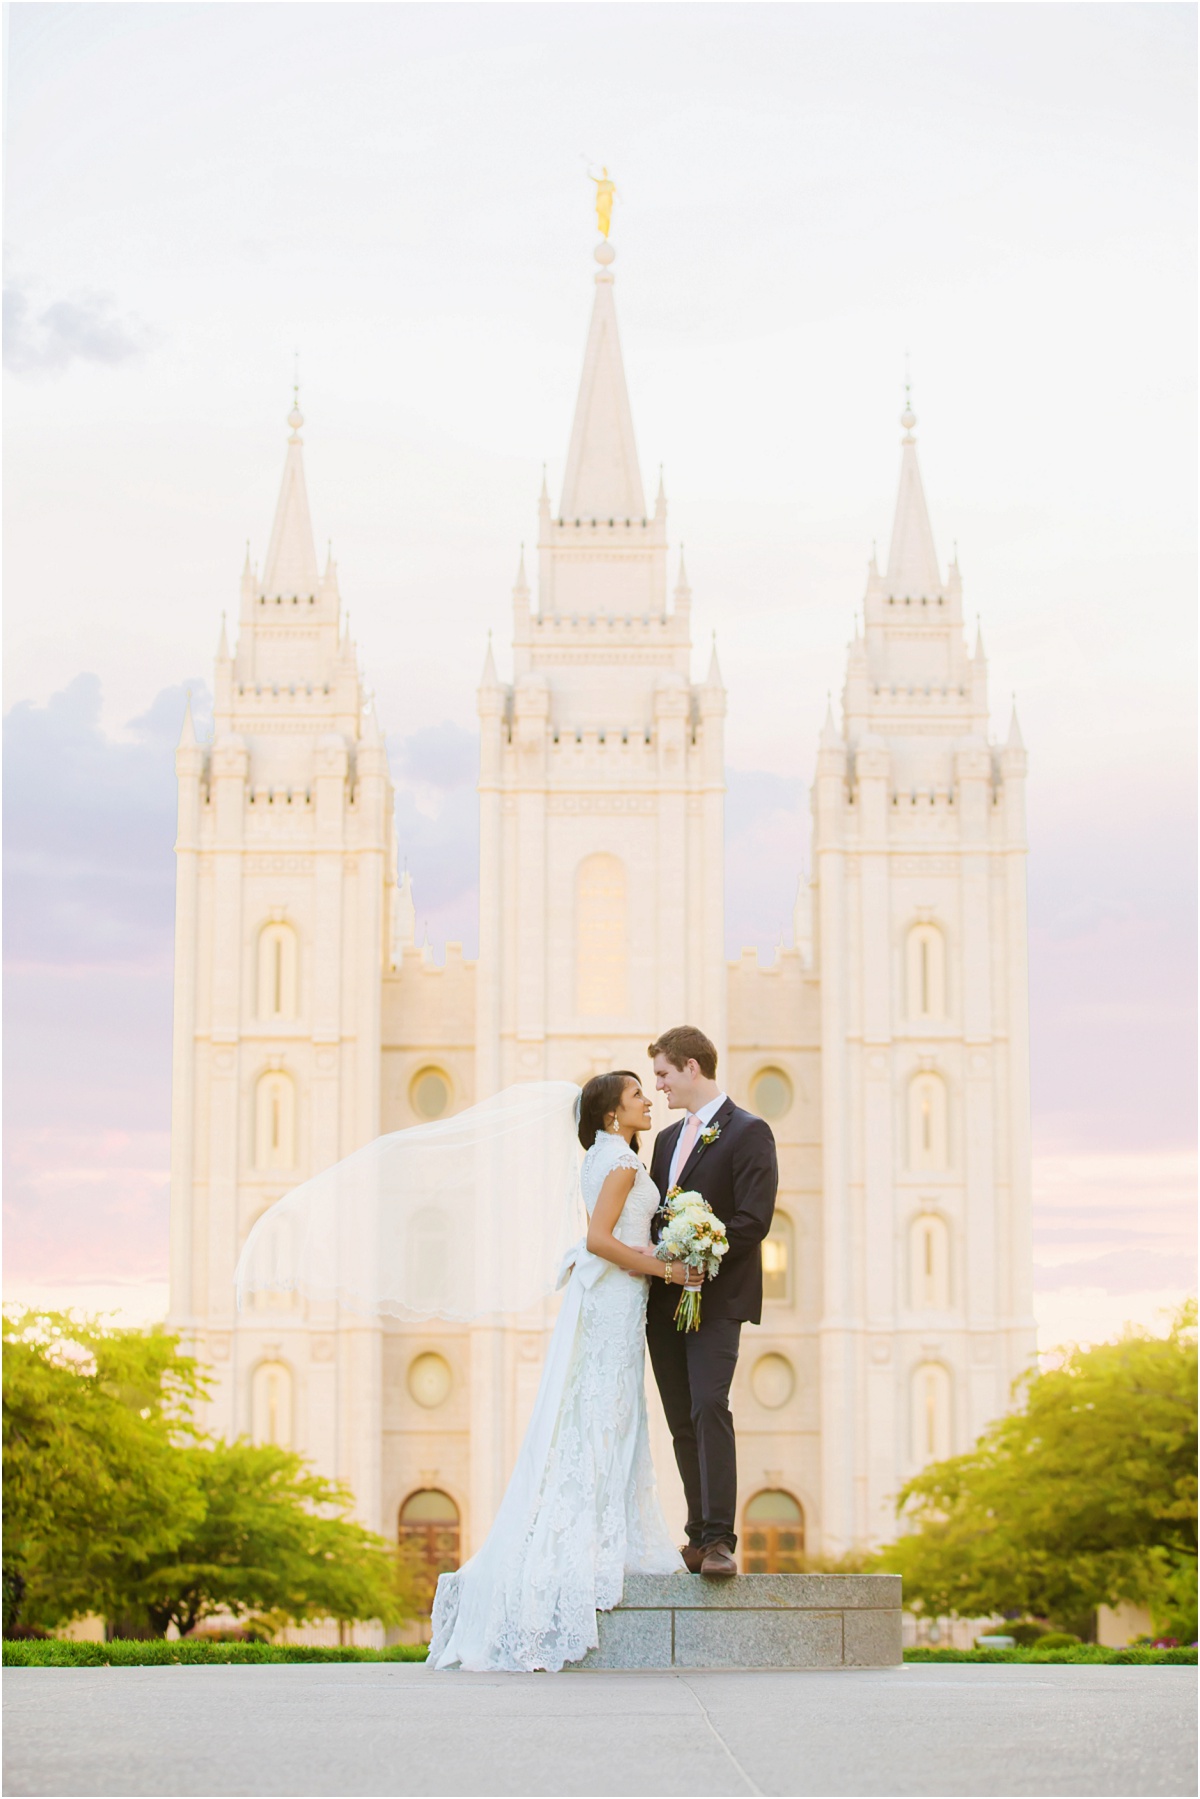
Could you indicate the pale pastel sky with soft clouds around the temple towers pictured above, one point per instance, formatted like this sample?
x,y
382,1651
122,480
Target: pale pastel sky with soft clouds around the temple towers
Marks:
x,y
807,195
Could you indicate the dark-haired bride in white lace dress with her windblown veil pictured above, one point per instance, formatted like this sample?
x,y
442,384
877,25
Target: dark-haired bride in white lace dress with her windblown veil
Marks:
x,y
467,1221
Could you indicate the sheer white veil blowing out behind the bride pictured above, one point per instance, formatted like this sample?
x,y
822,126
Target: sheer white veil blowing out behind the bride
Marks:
x,y
461,1219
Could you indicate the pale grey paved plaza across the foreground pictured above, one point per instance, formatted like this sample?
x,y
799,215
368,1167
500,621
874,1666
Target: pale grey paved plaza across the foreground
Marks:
x,y
399,1730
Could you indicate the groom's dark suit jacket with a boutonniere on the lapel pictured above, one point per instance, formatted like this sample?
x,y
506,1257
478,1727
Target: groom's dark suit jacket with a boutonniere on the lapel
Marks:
x,y
739,1176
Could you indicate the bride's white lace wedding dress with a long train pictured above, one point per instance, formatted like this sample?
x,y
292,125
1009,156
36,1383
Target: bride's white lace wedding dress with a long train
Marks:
x,y
582,1507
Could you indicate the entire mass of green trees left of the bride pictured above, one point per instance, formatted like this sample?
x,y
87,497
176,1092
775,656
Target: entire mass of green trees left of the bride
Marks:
x,y
118,1505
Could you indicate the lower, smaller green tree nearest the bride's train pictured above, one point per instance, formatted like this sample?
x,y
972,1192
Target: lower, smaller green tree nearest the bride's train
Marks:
x,y
276,1541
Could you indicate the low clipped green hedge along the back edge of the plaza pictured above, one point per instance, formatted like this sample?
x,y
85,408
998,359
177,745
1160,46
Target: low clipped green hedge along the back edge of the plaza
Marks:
x,y
51,1652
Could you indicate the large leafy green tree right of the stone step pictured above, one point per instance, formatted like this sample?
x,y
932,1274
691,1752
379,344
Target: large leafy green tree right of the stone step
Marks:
x,y
1086,1496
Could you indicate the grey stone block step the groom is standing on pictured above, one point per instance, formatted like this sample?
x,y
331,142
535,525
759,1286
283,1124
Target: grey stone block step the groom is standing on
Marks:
x,y
751,1622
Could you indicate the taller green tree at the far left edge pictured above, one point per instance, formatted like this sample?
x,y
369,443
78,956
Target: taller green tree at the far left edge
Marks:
x,y
96,1476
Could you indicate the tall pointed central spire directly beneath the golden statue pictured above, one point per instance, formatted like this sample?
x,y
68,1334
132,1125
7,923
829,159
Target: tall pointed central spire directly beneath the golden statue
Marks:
x,y
604,479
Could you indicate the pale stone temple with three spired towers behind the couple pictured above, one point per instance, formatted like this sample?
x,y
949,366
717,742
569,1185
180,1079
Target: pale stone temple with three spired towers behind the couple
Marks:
x,y
888,1046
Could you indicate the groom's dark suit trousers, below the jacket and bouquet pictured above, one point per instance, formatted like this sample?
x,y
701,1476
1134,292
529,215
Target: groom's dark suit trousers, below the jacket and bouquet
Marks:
x,y
695,1372
